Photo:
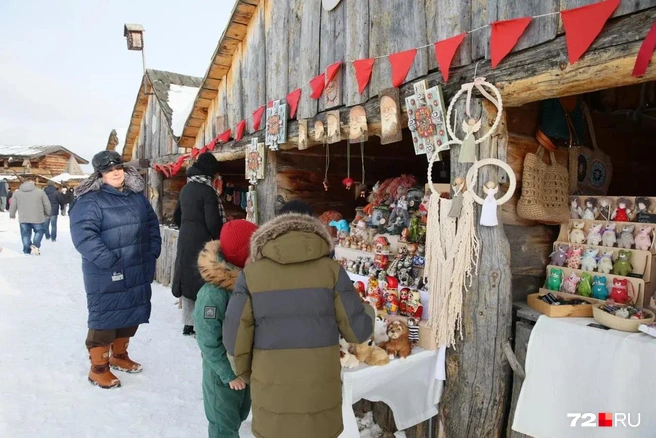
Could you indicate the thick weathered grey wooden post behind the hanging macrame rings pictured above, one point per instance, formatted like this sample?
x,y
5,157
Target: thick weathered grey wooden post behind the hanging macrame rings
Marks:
x,y
478,373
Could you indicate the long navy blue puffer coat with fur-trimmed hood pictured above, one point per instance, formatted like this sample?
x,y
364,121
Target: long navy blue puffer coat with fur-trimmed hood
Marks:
x,y
117,233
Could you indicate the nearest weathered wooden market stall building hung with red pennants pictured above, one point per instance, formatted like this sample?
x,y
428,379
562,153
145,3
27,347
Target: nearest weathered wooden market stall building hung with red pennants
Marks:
x,y
272,47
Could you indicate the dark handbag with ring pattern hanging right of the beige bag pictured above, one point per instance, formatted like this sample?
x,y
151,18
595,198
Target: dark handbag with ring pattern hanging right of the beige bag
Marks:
x,y
590,170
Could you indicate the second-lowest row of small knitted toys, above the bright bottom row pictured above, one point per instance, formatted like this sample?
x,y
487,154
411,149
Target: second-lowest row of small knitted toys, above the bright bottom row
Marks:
x,y
604,257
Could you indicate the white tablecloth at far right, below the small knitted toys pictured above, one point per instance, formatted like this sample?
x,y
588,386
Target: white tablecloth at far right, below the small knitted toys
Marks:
x,y
573,368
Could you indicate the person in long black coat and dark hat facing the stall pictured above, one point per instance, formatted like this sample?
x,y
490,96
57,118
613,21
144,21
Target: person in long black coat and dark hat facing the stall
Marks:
x,y
200,216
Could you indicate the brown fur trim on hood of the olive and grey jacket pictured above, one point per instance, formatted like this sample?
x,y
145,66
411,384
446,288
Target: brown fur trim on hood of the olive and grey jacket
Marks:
x,y
283,224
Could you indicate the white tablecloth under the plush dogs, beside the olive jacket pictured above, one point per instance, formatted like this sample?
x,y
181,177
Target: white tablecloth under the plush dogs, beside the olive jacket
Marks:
x,y
407,386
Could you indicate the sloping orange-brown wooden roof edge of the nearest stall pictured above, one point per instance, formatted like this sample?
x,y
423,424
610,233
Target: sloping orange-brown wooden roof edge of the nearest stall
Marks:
x,y
220,64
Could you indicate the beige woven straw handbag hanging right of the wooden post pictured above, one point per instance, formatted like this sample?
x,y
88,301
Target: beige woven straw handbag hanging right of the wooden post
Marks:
x,y
545,190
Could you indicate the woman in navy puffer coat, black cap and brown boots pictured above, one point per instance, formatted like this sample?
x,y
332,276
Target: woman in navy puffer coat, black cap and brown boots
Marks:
x,y
116,230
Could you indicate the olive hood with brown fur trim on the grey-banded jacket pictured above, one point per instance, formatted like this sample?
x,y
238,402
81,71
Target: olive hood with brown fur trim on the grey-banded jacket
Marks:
x,y
291,238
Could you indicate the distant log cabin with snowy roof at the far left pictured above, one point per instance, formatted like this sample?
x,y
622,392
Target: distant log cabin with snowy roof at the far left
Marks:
x,y
44,162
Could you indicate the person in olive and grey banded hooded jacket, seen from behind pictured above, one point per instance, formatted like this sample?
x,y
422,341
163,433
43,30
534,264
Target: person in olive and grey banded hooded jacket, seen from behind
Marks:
x,y
282,328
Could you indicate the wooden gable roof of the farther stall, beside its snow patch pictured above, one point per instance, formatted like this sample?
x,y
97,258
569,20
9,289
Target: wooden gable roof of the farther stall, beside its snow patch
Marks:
x,y
157,83
